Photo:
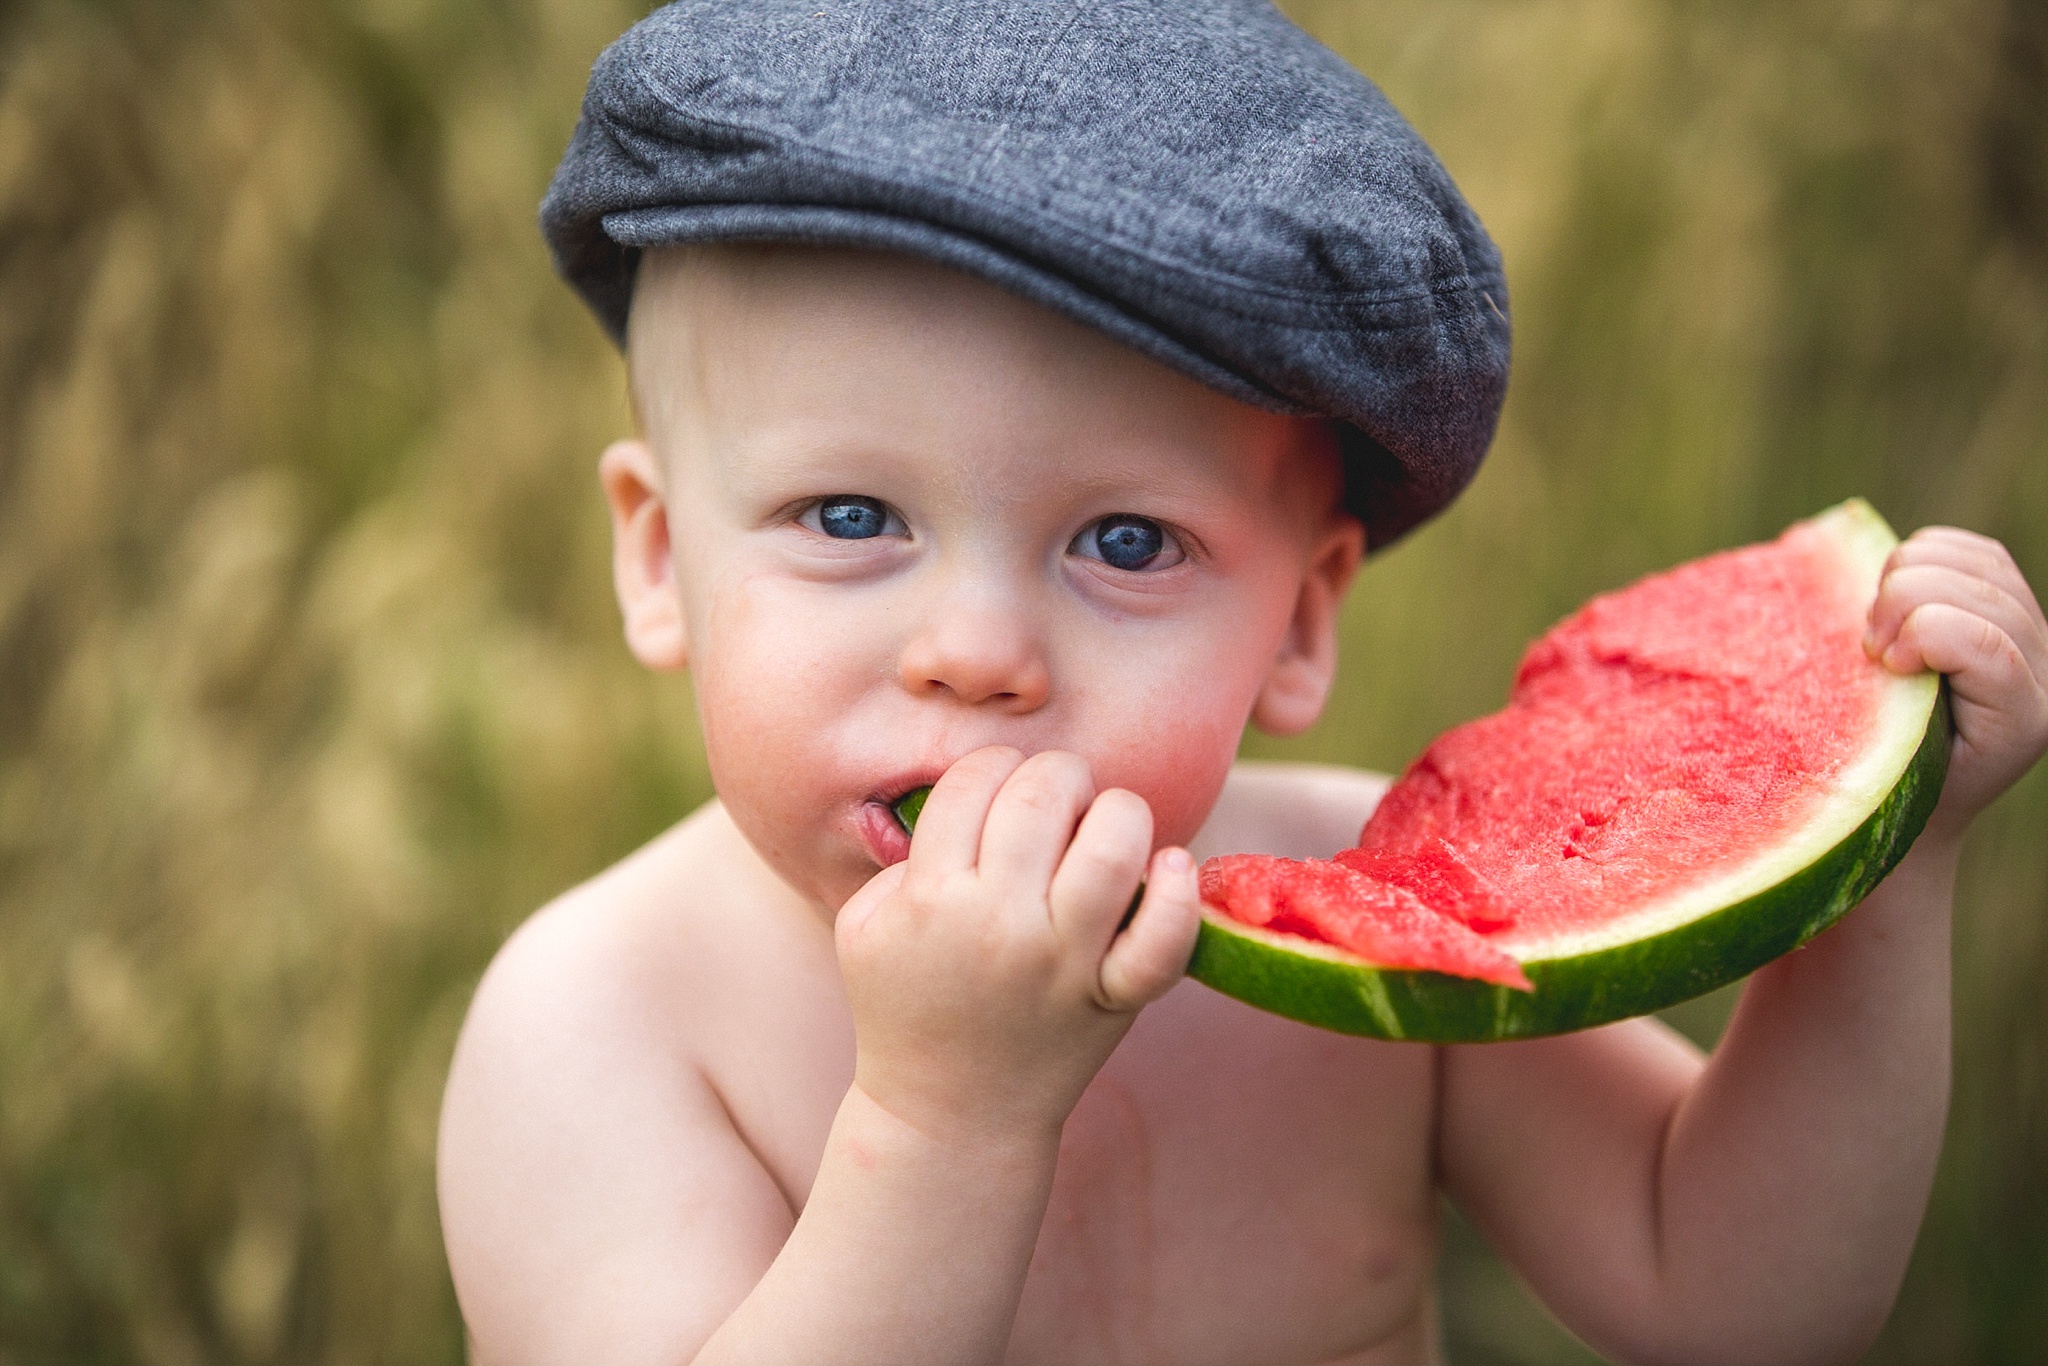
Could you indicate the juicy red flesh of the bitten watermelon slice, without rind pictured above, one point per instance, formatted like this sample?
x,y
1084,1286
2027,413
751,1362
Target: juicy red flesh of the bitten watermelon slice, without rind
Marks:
x,y
1656,738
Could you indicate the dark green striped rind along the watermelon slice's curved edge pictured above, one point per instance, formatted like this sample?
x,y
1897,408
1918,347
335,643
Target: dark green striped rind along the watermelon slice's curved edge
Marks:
x,y
1668,966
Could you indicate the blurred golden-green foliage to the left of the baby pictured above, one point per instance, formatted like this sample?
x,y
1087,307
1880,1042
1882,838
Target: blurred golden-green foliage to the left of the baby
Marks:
x,y
308,681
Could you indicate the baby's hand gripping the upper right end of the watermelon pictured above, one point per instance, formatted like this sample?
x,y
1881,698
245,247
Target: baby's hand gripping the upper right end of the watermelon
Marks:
x,y
1955,601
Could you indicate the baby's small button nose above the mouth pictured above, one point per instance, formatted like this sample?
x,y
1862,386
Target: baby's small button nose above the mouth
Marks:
x,y
980,648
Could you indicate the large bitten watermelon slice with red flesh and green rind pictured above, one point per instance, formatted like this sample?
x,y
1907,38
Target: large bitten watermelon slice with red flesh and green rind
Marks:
x,y
1693,777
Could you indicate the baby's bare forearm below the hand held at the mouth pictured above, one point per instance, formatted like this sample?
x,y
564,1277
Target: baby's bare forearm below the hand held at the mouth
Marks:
x,y
912,1248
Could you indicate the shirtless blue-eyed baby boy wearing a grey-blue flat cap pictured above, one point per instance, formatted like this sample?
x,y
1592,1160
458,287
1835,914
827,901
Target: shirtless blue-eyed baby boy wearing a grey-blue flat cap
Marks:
x,y
1019,392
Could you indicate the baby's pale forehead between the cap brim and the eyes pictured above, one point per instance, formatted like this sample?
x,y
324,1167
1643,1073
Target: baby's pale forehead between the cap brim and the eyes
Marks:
x,y
861,345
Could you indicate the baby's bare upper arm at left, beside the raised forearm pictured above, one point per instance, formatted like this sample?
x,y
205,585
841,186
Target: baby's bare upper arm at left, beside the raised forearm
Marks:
x,y
595,1197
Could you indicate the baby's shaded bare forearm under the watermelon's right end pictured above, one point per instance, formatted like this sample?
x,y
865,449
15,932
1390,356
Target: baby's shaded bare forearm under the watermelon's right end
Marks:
x,y
1797,1168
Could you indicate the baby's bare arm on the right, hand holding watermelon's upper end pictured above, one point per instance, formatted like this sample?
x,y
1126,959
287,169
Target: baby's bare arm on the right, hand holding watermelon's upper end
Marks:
x,y
1762,1205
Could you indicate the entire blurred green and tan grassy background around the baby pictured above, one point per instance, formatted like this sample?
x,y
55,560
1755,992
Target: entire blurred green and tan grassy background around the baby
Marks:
x,y
310,683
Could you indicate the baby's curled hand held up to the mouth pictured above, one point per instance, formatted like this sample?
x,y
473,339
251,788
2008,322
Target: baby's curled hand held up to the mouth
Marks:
x,y
986,974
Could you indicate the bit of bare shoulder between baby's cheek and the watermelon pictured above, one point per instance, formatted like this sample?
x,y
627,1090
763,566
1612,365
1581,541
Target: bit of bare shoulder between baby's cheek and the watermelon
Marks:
x,y
1293,810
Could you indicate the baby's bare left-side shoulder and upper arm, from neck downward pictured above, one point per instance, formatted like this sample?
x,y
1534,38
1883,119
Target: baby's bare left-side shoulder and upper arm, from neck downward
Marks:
x,y
583,1109
